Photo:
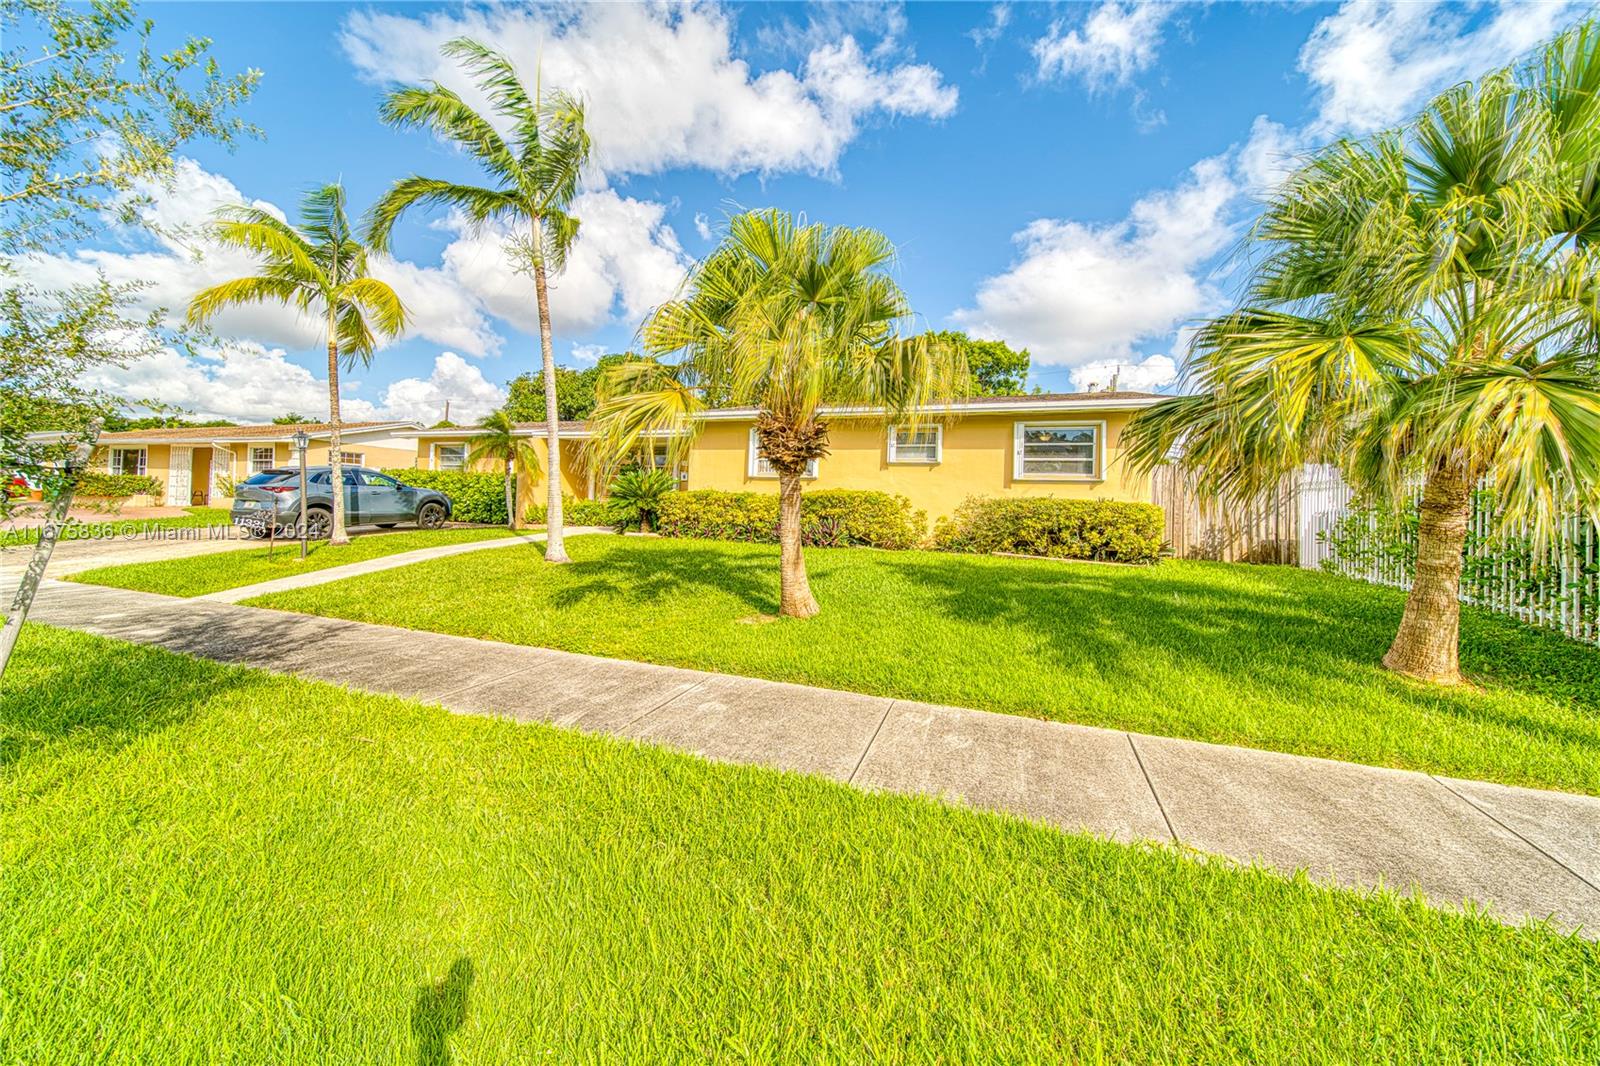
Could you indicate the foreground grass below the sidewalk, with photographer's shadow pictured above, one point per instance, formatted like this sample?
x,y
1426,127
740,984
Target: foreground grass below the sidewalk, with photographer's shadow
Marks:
x,y
206,864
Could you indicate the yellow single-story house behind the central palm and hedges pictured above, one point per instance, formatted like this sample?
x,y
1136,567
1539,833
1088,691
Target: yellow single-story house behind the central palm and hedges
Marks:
x,y
1018,446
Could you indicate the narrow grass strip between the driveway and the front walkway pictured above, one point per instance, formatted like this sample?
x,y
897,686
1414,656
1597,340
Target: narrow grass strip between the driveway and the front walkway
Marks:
x,y
199,575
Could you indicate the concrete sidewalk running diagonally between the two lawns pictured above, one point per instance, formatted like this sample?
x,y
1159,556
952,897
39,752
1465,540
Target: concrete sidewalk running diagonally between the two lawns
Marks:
x,y
1521,852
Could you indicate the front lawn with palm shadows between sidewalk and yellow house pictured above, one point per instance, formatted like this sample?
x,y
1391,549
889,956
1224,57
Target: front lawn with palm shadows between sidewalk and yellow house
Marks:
x,y
1268,657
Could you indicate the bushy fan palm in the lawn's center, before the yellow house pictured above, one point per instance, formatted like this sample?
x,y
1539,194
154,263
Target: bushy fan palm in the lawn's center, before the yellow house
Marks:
x,y
791,319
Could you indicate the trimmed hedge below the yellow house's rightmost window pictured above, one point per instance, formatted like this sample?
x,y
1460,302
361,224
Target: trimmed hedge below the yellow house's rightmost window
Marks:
x,y
1060,529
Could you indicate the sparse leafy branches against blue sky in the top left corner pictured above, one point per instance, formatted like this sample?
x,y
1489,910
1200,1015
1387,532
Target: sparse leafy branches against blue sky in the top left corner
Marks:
x,y
84,121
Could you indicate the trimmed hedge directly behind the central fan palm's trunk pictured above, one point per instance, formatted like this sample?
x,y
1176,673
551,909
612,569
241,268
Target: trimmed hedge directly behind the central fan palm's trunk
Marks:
x,y
831,518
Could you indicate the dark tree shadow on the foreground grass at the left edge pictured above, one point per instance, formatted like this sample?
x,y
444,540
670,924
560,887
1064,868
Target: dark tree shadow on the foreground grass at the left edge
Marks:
x,y
95,692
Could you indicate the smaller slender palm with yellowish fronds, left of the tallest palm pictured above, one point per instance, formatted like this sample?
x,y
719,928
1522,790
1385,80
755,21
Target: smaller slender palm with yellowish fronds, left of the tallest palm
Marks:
x,y
318,268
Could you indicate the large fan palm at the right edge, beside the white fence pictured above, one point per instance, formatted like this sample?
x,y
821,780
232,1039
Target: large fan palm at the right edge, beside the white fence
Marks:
x,y
1423,310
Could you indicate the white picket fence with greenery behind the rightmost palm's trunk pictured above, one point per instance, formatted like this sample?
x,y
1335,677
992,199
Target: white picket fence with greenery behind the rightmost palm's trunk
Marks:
x,y
1556,587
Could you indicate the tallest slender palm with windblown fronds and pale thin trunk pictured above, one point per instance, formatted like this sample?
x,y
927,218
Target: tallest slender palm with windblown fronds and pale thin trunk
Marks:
x,y
535,175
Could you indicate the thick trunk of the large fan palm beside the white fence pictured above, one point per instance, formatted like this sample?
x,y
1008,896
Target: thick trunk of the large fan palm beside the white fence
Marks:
x,y
1428,644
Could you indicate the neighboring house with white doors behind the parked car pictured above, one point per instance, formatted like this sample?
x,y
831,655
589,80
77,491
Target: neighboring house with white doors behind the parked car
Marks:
x,y
191,462
